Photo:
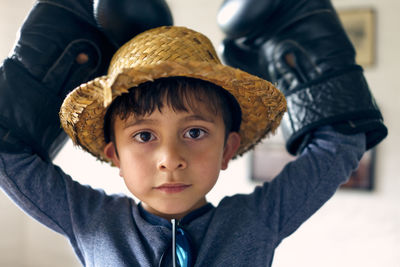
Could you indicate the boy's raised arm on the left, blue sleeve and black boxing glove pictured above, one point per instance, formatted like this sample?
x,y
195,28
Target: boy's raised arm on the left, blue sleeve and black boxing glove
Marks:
x,y
60,46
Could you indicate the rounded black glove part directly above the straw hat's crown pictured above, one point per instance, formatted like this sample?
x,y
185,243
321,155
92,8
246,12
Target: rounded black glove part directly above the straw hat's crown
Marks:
x,y
123,19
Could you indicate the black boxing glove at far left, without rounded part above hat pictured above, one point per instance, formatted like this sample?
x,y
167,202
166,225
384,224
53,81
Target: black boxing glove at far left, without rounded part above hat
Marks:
x,y
59,47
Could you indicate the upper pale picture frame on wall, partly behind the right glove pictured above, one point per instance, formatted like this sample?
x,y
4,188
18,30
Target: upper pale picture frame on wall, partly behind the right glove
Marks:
x,y
359,24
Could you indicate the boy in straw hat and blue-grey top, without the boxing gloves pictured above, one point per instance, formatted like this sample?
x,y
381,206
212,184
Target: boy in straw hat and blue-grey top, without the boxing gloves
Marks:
x,y
170,138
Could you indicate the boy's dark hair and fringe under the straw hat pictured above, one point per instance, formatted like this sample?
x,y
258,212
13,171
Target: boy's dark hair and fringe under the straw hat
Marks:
x,y
181,94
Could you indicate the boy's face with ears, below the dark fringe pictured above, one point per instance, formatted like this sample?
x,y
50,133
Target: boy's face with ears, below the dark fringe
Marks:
x,y
171,159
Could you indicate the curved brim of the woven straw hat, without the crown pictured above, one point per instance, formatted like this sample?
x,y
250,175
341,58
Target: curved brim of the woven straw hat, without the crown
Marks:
x,y
82,113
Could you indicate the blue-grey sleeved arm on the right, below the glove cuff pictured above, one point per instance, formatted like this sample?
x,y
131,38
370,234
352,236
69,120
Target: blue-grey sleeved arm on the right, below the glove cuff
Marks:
x,y
306,183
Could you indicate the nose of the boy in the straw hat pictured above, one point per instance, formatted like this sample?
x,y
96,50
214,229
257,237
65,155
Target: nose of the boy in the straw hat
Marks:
x,y
171,158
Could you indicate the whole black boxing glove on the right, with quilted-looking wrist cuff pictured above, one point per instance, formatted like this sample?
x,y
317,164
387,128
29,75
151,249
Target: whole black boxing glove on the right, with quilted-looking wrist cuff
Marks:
x,y
302,47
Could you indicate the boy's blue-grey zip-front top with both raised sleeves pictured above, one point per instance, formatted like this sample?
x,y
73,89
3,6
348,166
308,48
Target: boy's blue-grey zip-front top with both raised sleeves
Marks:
x,y
243,230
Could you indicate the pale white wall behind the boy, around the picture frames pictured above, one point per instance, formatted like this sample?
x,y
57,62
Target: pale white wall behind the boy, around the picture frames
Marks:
x,y
352,229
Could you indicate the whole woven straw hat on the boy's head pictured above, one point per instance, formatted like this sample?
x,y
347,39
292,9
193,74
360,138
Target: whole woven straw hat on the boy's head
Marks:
x,y
166,52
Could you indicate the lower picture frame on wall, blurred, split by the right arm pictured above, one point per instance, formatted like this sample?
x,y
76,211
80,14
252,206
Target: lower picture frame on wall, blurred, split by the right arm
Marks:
x,y
269,158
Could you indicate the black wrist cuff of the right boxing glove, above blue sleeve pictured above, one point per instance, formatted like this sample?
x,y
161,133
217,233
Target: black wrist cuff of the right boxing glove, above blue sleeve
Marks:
x,y
342,100
